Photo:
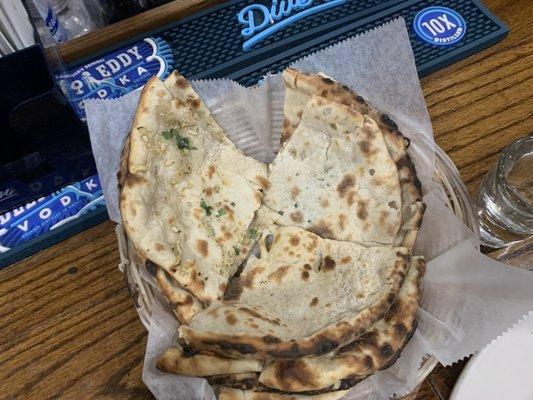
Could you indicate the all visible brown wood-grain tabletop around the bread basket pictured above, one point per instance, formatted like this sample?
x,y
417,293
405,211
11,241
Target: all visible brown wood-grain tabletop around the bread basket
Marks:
x,y
68,328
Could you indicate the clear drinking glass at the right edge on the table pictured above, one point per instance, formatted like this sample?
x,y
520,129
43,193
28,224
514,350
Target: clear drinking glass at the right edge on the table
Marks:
x,y
505,200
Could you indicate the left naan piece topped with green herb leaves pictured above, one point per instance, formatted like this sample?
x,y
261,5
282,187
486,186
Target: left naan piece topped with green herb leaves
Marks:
x,y
187,194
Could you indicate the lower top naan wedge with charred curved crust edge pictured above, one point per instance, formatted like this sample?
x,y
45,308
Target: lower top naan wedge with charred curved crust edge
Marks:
x,y
343,288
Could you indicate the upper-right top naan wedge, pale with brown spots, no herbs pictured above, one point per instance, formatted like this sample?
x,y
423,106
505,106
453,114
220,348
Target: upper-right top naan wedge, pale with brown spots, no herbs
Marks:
x,y
334,176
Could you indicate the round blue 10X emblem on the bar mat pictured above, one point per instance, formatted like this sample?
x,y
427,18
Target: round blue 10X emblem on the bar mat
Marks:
x,y
440,26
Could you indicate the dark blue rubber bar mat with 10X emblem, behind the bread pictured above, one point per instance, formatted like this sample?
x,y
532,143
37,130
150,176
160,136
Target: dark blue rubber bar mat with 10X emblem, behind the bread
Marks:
x,y
209,44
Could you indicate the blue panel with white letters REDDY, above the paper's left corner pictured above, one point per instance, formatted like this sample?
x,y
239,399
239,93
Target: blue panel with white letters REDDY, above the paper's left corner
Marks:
x,y
116,74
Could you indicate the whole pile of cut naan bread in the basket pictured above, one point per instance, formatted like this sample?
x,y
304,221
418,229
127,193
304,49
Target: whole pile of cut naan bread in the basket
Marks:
x,y
179,156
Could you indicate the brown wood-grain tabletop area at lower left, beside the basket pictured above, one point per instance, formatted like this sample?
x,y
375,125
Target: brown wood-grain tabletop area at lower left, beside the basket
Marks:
x,y
68,328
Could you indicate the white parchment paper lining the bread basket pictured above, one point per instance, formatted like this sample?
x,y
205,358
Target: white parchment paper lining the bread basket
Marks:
x,y
468,299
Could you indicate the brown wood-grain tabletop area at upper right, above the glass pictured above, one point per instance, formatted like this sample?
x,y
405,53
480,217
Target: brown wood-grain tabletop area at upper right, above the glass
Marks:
x,y
483,103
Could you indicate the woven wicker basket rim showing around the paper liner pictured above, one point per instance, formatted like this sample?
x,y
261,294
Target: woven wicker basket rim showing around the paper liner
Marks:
x,y
144,294
